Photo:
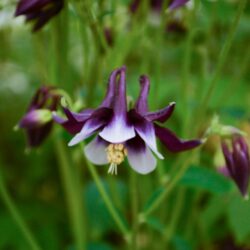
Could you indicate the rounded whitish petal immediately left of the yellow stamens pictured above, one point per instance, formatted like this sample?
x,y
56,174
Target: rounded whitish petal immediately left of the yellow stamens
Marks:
x,y
95,151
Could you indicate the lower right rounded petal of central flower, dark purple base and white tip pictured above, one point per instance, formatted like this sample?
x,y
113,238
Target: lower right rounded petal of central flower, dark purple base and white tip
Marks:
x,y
140,157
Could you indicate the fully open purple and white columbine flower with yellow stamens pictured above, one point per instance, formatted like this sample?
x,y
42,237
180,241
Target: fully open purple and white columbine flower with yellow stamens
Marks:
x,y
122,134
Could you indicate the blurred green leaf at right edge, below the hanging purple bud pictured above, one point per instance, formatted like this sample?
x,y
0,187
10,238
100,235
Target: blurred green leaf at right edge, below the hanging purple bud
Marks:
x,y
238,216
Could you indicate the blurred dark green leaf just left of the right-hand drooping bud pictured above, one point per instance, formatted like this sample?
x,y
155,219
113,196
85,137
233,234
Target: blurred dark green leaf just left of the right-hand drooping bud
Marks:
x,y
206,179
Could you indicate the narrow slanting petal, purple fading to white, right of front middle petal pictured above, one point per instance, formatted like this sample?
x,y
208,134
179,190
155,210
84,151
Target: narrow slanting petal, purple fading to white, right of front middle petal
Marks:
x,y
145,130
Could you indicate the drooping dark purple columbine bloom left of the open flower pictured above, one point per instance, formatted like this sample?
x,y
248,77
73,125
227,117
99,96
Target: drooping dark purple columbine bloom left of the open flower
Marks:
x,y
38,120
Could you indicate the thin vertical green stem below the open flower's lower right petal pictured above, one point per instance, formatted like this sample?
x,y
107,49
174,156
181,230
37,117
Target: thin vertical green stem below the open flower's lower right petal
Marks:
x,y
134,208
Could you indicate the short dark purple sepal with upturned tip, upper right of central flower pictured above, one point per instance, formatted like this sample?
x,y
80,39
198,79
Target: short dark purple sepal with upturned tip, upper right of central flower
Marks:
x,y
161,115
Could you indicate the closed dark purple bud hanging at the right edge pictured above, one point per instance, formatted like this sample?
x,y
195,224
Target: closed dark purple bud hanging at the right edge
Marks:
x,y
237,163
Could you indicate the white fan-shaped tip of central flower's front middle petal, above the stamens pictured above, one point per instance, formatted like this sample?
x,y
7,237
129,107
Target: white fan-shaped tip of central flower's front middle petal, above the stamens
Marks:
x,y
117,131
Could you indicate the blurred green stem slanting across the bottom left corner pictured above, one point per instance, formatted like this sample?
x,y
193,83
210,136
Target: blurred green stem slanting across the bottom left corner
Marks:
x,y
4,195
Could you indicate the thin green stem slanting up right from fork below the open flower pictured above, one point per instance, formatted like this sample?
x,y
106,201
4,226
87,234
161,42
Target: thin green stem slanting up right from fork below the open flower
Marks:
x,y
168,188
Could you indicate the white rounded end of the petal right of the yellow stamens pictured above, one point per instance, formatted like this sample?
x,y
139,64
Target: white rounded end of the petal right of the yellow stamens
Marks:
x,y
142,161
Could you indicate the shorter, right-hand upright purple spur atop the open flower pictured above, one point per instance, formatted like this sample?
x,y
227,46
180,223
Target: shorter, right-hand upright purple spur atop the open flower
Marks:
x,y
141,105
